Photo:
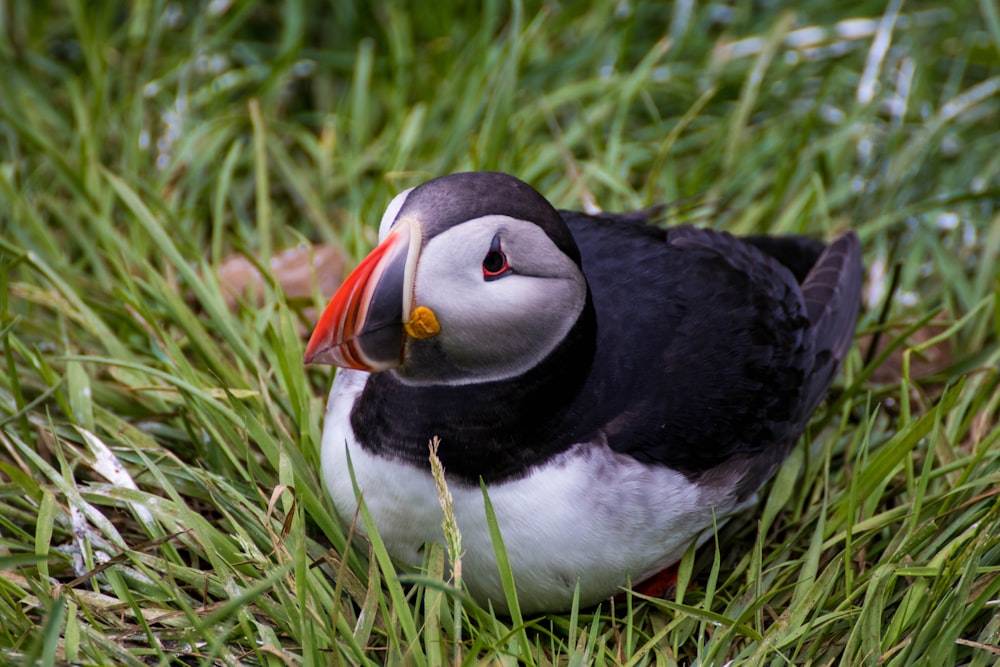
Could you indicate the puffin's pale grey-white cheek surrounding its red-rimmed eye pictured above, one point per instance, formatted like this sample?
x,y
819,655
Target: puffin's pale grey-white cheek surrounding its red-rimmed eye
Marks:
x,y
500,327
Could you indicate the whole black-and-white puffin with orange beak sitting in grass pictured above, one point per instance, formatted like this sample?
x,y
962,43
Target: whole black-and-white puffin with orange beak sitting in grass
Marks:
x,y
619,389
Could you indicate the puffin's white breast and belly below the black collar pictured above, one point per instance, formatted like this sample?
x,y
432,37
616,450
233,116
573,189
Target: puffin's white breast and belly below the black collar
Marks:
x,y
590,515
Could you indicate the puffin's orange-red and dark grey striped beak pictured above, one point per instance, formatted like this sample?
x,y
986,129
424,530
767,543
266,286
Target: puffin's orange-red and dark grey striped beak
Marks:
x,y
363,326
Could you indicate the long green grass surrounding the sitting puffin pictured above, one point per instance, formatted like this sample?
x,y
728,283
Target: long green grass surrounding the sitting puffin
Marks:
x,y
160,501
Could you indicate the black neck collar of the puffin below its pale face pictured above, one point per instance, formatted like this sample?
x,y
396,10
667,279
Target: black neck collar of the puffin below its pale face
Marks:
x,y
495,430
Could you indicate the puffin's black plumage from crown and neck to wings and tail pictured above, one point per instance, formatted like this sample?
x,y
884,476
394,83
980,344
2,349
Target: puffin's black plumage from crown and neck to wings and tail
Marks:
x,y
694,348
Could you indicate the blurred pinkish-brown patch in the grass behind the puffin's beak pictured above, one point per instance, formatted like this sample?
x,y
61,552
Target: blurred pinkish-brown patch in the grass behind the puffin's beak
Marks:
x,y
293,271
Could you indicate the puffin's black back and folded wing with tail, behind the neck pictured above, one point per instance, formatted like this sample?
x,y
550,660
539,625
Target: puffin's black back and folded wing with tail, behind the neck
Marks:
x,y
709,347
